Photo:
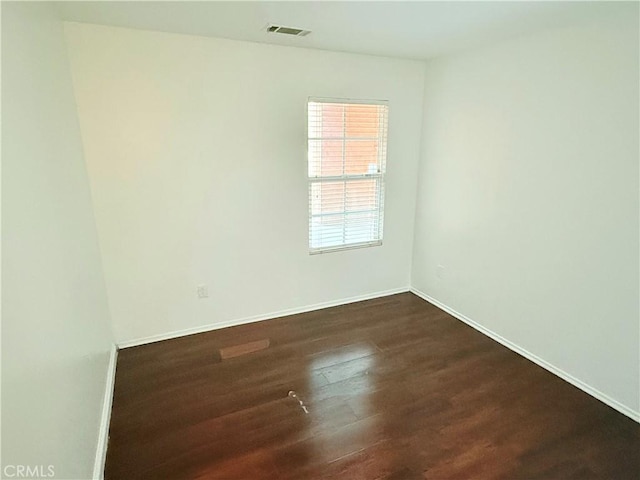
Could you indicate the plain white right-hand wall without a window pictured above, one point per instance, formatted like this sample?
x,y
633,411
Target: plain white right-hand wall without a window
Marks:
x,y
528,197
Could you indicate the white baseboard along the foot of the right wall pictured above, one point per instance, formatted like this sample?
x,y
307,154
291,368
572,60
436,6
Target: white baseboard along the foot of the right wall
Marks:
x,y
629,412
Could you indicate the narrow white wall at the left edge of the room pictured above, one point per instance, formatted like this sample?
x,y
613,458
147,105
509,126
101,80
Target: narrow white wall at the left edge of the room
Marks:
x,y
56,337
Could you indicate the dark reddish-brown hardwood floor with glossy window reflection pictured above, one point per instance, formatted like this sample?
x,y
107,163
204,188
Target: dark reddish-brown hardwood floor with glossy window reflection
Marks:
x,y
394,389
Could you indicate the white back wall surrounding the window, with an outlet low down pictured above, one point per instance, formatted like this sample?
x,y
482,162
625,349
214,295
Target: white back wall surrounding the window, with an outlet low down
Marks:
x,y
196,149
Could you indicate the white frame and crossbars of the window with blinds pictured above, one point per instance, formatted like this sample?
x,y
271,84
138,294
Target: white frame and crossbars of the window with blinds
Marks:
x,y
379,175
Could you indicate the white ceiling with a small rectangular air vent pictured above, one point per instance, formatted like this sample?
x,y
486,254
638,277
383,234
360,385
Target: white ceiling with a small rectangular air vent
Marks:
x,y
418,30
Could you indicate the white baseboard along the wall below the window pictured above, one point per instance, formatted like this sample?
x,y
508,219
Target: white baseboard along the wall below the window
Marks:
x,y
258,318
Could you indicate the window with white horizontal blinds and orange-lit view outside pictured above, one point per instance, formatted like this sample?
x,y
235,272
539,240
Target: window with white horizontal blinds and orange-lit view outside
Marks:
x,y
347,156
